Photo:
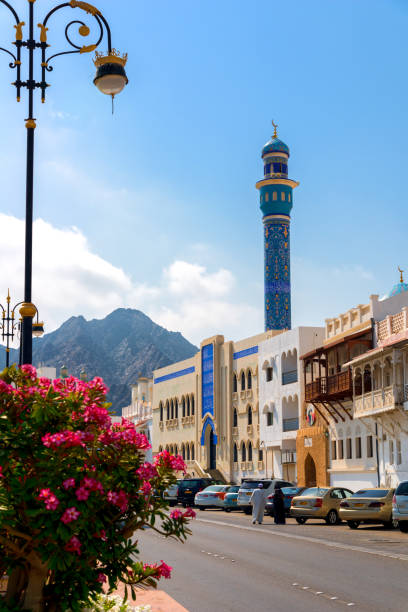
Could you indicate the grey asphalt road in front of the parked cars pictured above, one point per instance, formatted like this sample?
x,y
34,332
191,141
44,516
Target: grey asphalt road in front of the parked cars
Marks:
x,y
230,564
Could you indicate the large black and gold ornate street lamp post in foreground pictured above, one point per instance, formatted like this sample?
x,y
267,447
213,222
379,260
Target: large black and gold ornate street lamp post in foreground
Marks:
x,y
110,79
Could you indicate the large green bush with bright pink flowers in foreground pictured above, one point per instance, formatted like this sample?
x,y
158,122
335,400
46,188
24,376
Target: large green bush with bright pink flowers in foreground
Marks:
x,y
73,490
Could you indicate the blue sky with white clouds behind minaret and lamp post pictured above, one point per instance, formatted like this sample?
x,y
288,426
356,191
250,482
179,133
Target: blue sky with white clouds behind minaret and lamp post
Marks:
x,y
155,208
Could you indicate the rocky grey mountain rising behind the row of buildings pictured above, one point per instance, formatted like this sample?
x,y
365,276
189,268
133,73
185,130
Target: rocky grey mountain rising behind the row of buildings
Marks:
x,y
120,347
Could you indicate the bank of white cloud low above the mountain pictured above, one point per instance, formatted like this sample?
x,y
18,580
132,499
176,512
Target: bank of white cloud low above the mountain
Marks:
x,y
69,279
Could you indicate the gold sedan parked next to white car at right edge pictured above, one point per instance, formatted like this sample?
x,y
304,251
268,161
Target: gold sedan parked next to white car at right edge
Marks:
x,y
368,506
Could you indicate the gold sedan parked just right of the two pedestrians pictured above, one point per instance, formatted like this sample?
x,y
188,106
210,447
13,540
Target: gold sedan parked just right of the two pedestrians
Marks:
x,y
319,503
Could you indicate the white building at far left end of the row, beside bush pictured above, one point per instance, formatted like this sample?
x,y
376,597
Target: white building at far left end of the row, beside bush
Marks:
x,y
140,410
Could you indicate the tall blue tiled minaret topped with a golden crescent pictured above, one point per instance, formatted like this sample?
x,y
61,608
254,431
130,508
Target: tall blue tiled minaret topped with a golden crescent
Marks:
x,y
276,203
